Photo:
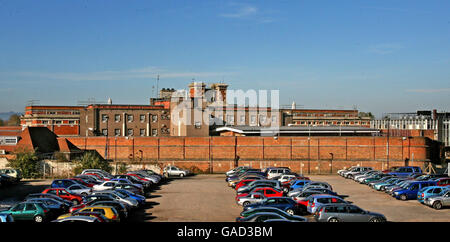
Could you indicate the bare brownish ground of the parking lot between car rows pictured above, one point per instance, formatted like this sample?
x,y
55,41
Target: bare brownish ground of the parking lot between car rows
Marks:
x,y
207,198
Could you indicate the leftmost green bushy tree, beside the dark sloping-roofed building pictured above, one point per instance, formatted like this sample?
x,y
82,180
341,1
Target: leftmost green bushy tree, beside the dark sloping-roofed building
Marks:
x,y
27,162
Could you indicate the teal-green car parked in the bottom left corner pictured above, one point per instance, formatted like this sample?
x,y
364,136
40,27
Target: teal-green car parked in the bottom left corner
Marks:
x,y
29,211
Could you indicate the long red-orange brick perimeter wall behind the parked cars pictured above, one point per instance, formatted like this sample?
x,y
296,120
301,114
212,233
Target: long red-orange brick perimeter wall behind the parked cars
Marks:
x,y
219,152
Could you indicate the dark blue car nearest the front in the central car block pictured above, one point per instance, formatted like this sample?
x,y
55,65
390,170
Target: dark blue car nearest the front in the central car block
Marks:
x,y
286,204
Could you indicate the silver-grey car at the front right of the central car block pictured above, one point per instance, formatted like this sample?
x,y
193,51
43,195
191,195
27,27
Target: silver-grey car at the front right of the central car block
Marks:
x,y
346,213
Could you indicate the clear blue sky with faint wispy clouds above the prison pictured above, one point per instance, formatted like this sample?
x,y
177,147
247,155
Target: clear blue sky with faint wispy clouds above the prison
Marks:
x,y
382,56
